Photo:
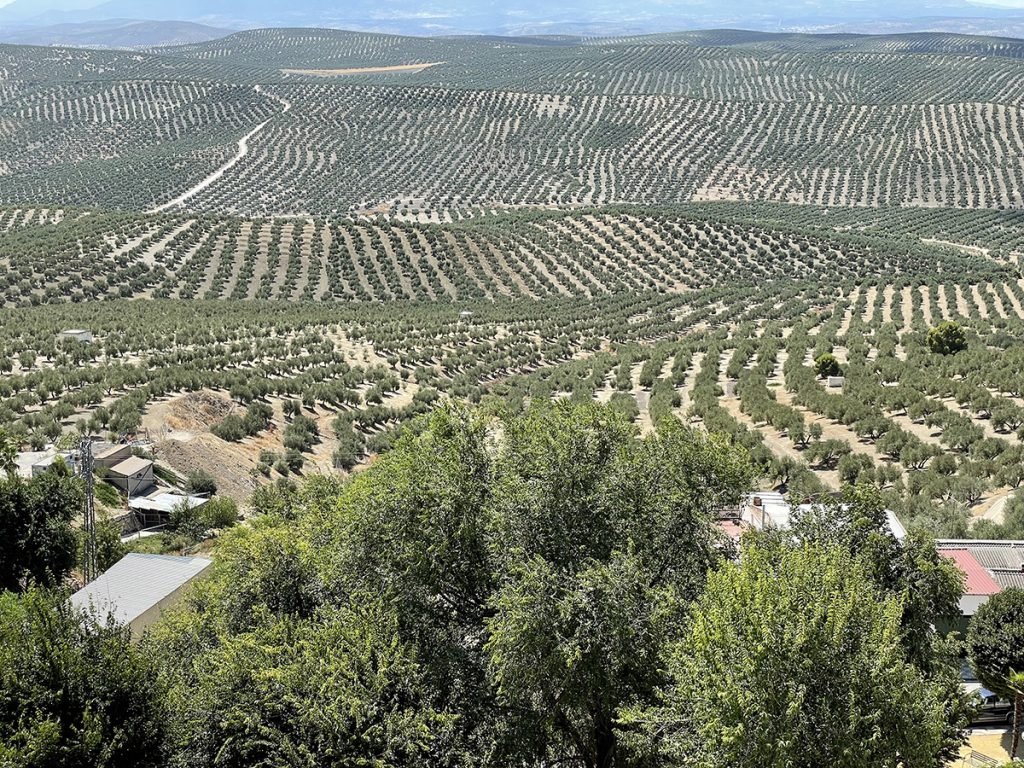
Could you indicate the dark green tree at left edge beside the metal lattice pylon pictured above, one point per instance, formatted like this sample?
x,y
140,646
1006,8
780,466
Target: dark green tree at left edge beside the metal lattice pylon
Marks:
x,y
38,545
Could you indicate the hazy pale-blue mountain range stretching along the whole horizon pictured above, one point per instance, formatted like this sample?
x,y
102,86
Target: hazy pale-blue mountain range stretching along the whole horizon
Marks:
x,y
536,17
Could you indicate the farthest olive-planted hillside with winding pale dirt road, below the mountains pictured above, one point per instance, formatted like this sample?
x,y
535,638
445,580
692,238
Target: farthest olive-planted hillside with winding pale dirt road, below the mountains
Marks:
x,y
339,122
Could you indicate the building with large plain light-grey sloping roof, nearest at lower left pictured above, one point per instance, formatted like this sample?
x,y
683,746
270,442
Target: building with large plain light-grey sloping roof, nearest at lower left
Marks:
x,y
140,588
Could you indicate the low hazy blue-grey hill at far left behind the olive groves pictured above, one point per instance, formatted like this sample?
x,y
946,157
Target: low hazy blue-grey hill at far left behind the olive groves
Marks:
x,y
113,34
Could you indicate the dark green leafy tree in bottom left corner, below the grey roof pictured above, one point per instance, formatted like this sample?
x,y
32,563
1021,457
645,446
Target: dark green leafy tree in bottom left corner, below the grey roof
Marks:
x,y
74,692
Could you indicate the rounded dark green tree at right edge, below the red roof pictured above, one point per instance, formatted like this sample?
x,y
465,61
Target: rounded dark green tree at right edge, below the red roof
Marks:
x,y
996,648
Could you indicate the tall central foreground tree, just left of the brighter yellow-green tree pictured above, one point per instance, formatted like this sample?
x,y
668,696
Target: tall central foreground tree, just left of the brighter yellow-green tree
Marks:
x,y
601,541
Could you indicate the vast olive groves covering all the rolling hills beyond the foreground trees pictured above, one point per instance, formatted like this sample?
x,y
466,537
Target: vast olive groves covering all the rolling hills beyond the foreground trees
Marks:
x,y
289,244
